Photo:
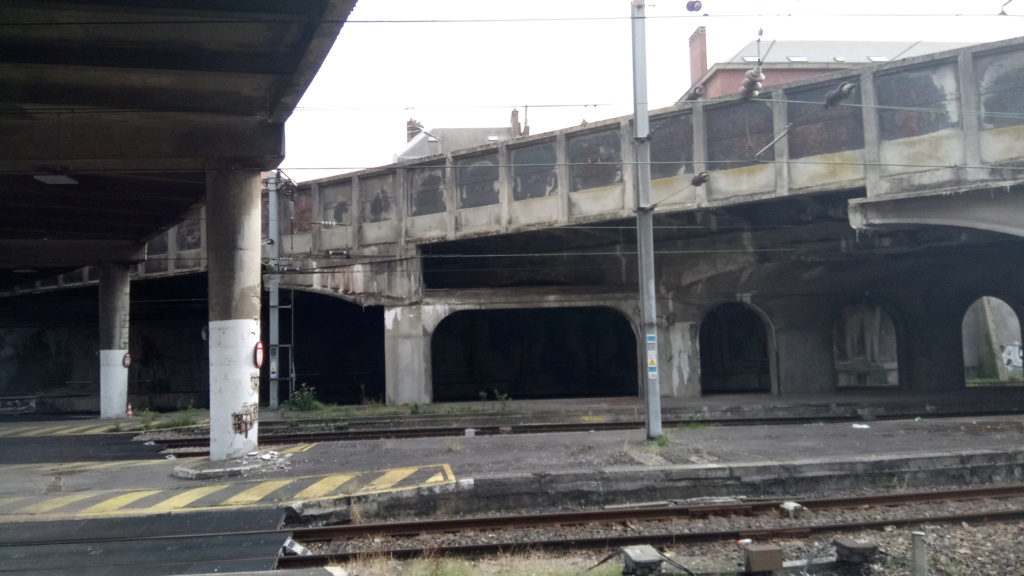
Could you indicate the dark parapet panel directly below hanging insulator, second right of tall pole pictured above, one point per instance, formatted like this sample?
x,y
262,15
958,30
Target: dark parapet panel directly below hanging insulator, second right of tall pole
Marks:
x,y
737,133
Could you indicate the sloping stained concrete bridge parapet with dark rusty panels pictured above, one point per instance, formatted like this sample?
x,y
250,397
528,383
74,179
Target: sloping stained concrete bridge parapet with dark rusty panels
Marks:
x,y
947,121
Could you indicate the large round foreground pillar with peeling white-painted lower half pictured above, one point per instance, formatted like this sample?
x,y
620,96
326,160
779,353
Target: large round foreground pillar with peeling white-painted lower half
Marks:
x,y
233,229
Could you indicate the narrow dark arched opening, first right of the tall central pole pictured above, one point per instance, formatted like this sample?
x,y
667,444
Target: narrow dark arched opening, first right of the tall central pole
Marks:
x,y
735,352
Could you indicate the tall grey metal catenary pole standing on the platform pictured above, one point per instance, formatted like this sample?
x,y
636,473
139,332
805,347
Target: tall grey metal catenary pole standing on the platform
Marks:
x,y
646,229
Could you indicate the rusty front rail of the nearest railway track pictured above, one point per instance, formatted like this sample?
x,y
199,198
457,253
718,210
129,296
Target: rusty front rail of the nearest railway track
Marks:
x,y
678,539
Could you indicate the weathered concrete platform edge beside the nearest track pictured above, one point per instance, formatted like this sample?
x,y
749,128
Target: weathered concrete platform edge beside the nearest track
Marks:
x,y
763,479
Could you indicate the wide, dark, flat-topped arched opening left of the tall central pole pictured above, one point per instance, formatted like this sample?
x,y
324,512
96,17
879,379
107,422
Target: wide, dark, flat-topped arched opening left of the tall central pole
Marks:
x,y
536,353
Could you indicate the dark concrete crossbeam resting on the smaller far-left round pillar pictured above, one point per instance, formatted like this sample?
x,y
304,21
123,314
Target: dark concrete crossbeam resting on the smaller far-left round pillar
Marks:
x,y
68,254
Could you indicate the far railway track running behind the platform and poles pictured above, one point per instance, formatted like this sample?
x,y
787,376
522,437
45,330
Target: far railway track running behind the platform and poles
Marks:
x,y
199,446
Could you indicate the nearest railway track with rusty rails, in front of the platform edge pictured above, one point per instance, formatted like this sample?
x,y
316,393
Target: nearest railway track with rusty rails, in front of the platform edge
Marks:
x,y
333,540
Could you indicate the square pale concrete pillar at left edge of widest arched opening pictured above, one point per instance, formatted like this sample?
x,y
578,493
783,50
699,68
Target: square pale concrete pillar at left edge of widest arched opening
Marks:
x,y
407,356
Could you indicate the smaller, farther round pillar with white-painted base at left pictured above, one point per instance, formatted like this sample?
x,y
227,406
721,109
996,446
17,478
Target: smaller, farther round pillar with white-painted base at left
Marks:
x,y
114,303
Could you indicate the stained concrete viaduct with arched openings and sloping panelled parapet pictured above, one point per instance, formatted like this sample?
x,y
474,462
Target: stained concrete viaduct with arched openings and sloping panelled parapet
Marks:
x,y
833,248
